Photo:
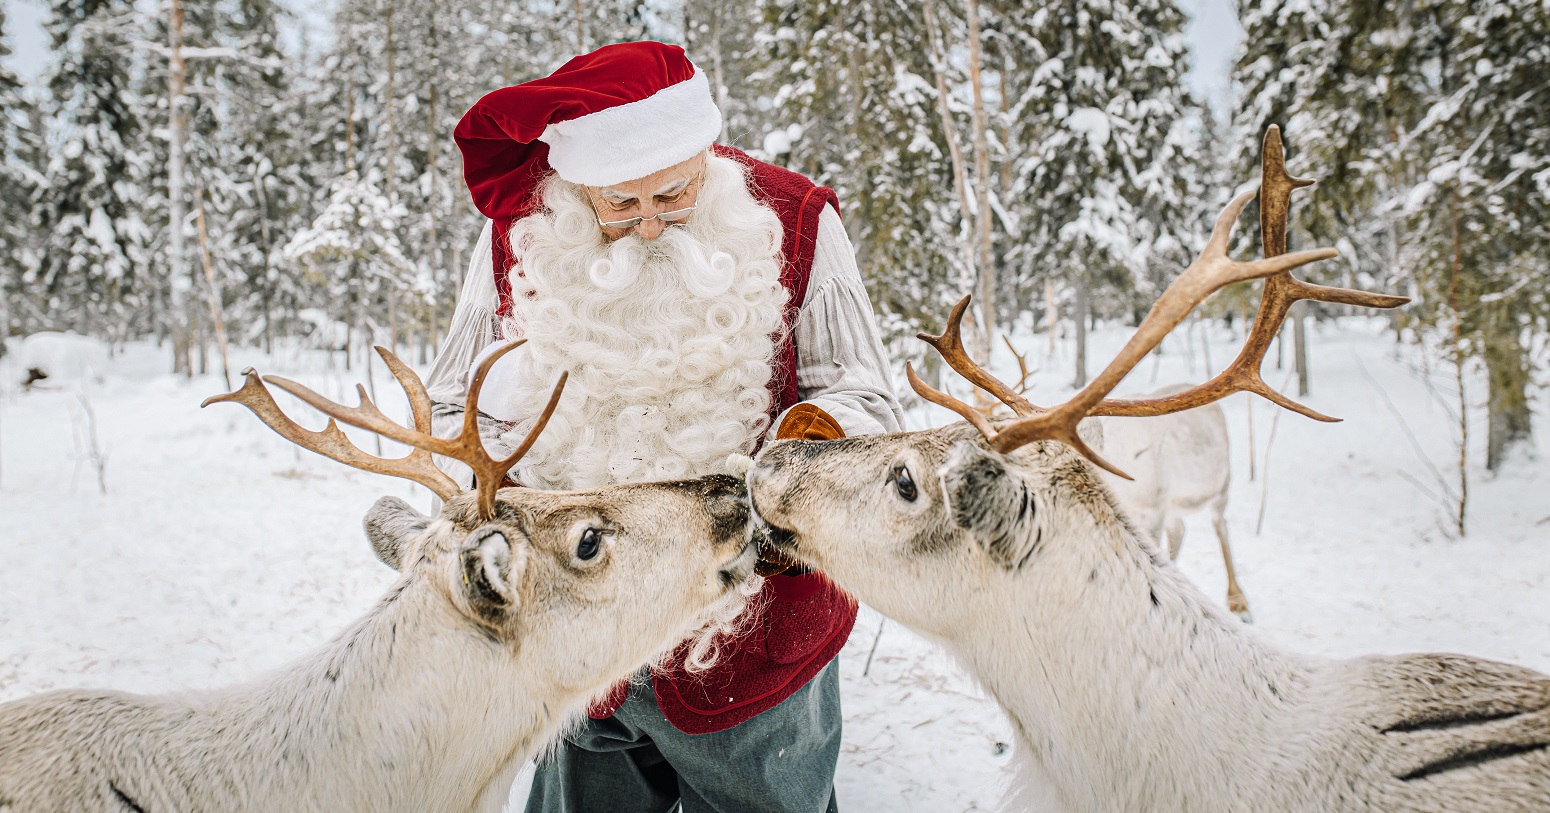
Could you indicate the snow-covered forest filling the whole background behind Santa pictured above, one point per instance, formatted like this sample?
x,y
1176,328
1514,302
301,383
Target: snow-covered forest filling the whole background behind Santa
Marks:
x,y
184,173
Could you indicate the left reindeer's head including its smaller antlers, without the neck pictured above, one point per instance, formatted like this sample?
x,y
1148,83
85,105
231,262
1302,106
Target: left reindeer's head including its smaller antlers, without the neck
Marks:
x,y
610,577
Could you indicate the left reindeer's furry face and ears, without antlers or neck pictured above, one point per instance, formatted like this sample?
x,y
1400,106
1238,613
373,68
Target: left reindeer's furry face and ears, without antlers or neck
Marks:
x,y
608,577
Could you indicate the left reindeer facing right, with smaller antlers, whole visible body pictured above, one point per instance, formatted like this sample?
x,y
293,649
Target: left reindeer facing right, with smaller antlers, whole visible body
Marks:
x,y
514,609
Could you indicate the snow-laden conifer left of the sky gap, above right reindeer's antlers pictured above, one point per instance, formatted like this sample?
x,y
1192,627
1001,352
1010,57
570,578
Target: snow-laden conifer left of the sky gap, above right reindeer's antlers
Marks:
x,y
1106,173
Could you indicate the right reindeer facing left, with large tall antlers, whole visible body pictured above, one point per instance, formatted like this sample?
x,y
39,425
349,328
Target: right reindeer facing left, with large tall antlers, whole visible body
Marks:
x,y
1128,688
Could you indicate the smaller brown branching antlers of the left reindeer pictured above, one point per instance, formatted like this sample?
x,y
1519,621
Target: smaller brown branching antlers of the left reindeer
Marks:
x,y
418,465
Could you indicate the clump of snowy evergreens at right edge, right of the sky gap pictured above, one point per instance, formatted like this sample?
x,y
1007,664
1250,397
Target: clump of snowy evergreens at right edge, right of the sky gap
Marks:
x,y
1428,131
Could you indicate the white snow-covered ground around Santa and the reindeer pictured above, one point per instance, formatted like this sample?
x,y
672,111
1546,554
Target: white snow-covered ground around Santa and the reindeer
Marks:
x,y
221,552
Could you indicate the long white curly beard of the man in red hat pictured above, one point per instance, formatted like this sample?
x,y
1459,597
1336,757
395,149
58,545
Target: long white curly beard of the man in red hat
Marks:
x,y
669,343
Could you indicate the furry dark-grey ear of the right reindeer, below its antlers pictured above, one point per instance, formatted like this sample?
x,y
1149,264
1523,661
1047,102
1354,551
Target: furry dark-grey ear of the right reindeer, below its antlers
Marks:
x,y
994,504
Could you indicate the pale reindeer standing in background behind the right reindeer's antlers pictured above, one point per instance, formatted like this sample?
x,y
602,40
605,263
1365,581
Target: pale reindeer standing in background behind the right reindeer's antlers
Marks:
x,y
1179,464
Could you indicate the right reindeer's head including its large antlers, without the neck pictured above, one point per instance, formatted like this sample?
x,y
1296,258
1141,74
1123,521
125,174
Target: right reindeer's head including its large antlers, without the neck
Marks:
x,y
951,512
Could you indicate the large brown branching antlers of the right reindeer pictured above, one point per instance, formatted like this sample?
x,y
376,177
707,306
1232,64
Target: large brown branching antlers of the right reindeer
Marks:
x,y
1208,275
